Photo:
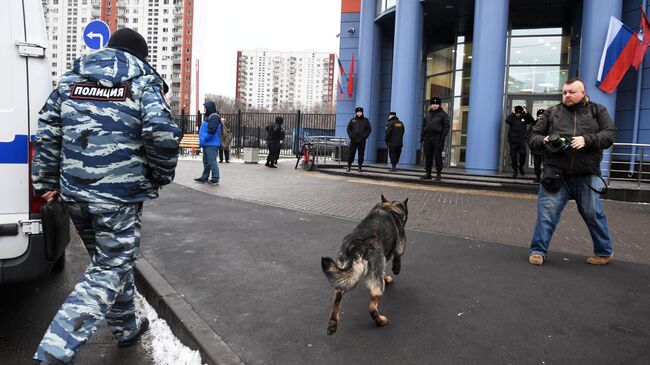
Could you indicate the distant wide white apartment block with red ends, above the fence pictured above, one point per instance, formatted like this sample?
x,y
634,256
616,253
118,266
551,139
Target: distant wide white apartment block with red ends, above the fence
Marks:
x,y
273,79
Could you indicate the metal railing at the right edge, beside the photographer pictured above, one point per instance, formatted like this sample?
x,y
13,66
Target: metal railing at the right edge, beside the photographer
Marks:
x,y
630,162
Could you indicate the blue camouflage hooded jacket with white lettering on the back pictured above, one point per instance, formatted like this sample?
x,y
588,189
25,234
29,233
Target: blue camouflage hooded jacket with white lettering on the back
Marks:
x,y
106,134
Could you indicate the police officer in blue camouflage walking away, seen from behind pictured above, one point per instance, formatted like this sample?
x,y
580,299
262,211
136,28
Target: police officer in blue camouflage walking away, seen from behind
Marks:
x,y
106,142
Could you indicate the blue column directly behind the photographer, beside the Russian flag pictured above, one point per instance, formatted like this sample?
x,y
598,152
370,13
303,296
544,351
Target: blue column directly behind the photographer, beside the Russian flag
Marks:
x,y
595,23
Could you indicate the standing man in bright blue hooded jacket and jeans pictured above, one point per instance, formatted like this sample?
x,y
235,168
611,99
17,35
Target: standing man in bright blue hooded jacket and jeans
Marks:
x,y
210,141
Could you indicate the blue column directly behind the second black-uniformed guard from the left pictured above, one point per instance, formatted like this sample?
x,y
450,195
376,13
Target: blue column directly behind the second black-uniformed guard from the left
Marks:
x,y
407,57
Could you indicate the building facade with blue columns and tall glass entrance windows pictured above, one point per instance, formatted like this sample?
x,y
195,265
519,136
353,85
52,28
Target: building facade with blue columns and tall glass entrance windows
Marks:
x,y
481,57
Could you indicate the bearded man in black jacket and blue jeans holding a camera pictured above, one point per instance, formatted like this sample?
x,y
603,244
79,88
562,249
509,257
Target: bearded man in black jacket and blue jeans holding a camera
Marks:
x,y
574,135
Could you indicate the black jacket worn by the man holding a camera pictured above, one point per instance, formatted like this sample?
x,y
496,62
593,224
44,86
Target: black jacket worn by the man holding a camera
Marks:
x,y
587,119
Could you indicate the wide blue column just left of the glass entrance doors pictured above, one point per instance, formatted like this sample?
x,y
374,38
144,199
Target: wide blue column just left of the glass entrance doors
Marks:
x,y
487,86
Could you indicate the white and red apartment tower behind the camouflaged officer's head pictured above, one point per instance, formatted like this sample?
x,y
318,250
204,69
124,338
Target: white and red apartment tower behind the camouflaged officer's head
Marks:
x,y
166,25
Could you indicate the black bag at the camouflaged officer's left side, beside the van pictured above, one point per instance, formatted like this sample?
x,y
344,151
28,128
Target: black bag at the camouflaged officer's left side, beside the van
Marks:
x,y
56,227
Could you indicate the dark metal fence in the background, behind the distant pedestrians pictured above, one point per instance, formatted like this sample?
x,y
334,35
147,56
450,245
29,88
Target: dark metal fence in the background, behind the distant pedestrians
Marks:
x,y
249,129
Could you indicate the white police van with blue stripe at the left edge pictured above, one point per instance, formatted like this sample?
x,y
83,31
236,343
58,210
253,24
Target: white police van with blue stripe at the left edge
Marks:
x,y
26,83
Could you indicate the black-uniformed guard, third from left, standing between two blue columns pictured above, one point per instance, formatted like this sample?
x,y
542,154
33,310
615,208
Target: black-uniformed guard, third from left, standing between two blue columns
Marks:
x,y
435,128
